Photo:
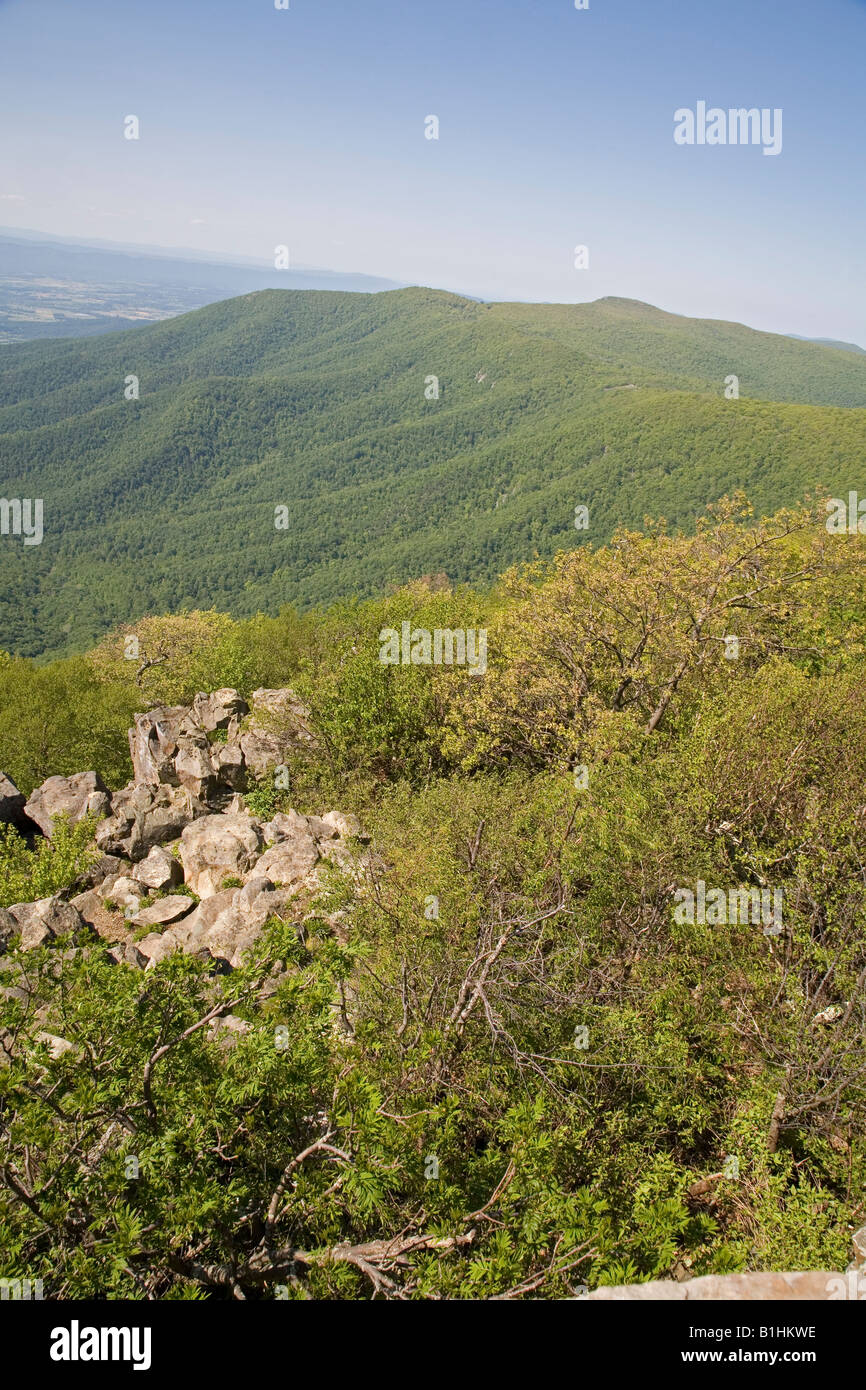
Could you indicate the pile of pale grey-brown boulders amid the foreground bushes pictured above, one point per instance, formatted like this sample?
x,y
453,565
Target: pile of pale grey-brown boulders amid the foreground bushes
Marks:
x,y
180,835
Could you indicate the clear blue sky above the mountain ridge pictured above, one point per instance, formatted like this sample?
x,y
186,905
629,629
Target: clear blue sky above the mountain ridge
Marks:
x,y
307,127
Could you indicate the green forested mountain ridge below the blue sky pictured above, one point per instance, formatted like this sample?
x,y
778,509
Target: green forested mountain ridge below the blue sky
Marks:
x,y
323,404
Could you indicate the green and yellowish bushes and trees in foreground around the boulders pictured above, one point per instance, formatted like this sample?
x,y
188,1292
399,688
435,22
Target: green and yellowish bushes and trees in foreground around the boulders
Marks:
x,y
494,1039
